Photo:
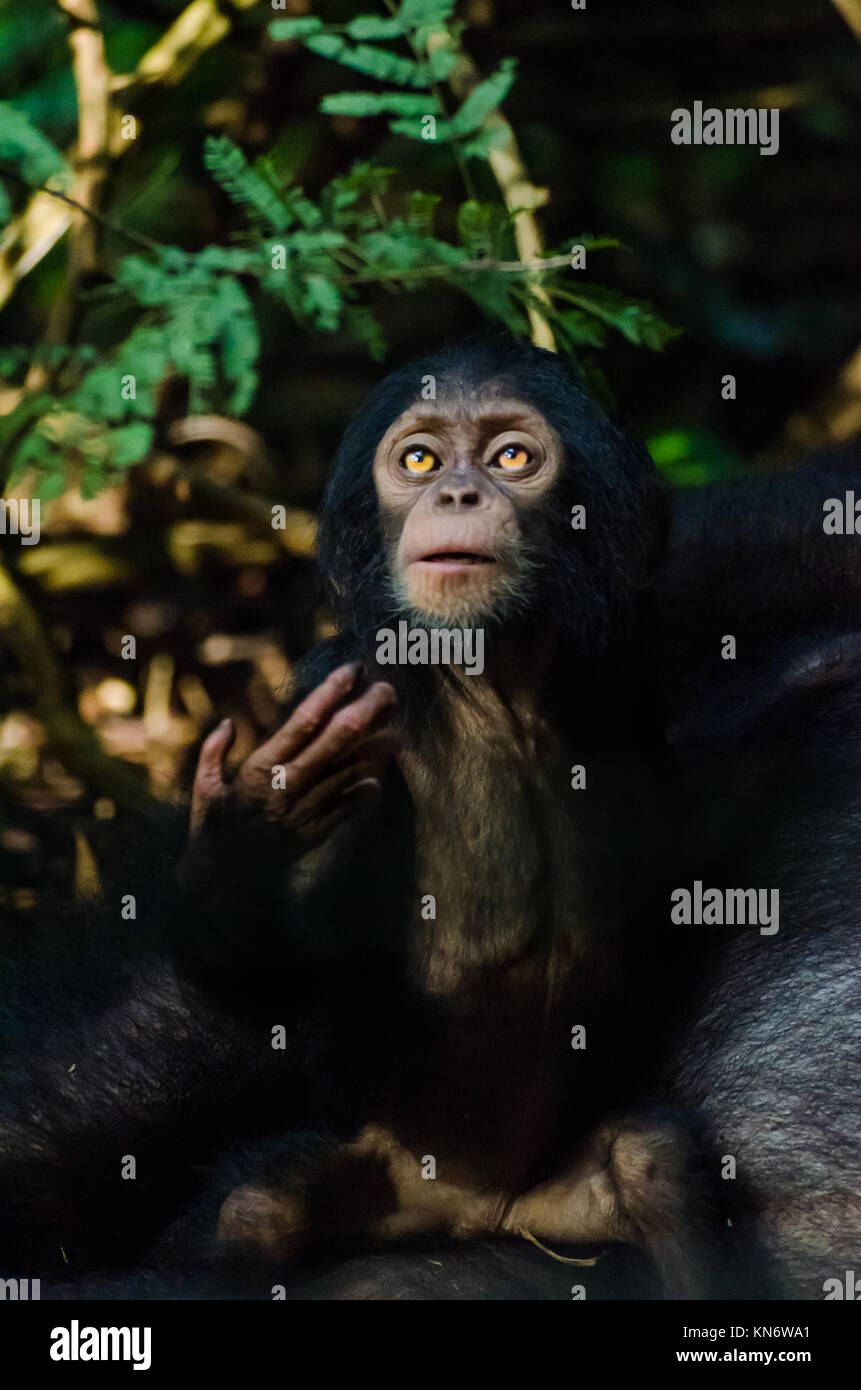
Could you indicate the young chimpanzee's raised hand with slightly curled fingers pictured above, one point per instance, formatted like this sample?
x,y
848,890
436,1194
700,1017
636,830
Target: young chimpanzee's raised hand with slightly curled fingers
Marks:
x,y
322,767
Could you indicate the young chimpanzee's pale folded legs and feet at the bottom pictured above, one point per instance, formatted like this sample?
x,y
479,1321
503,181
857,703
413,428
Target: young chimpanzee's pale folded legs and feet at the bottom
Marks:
x,y
634,1182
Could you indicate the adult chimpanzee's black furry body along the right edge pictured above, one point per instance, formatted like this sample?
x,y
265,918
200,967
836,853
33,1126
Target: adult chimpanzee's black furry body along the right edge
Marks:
x,y
770,746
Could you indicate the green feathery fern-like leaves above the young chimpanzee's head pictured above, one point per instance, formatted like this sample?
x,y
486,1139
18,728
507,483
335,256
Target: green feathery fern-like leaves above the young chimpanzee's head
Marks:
x,y
318,256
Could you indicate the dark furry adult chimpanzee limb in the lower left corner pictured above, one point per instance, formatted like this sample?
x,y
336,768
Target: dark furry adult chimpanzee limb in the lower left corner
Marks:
x,y
104,1120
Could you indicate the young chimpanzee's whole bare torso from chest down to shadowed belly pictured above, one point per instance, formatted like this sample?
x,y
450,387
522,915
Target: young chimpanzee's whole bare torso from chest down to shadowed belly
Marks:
x,y
499,951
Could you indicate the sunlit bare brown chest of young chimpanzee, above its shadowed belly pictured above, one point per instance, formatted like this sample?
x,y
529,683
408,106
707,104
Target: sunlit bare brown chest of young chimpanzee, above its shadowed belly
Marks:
x,y
500,901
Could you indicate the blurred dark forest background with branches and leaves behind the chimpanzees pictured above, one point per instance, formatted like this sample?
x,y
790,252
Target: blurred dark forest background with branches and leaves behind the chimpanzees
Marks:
x,y
156,523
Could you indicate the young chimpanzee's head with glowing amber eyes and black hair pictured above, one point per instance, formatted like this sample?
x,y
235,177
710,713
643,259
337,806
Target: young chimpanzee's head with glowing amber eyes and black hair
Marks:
x,y
508,501
